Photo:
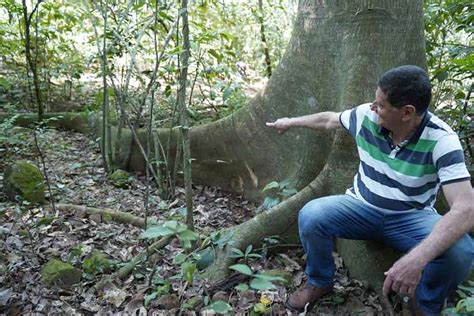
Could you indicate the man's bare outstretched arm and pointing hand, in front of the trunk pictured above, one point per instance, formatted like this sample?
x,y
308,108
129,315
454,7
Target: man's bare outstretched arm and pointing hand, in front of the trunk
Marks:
x,y
318,121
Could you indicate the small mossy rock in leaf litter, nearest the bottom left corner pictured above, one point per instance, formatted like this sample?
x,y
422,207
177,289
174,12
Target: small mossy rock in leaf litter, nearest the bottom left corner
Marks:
x,y
61,274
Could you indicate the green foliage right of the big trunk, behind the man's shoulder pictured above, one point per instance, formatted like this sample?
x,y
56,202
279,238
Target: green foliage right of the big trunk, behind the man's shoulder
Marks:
x,y
449,27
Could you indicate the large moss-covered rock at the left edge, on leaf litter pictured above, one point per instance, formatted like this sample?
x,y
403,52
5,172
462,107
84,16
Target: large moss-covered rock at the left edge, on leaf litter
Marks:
x,y
26,180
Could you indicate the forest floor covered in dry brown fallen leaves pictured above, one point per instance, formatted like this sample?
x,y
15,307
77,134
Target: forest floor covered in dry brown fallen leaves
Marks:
x,y
29,237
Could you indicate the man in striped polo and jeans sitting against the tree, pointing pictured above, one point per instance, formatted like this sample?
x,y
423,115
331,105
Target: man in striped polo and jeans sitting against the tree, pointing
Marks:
x,y
406,153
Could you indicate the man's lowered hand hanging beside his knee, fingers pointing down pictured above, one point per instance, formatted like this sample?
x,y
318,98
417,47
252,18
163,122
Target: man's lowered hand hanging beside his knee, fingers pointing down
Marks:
x,y
404,276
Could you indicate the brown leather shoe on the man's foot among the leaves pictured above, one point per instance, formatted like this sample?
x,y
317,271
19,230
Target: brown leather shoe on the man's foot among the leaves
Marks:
x,y
306,296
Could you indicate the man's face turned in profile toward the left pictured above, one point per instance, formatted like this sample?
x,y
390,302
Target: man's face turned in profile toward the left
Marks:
x,y
389,117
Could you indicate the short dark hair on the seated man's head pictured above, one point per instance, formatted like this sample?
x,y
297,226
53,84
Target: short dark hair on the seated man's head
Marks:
x,y
407,84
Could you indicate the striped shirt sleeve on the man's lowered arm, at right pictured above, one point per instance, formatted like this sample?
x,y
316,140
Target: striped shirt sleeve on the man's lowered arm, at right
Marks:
x,y
448,157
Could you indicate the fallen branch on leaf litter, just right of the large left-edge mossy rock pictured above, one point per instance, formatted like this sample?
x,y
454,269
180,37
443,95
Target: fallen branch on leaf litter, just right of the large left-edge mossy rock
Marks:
x,y
105,213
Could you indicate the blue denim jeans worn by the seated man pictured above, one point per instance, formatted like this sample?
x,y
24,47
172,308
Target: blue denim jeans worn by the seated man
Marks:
x,y
344,216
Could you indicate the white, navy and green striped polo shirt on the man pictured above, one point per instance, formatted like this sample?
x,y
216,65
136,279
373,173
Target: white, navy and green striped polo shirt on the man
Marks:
x,y
407,176
